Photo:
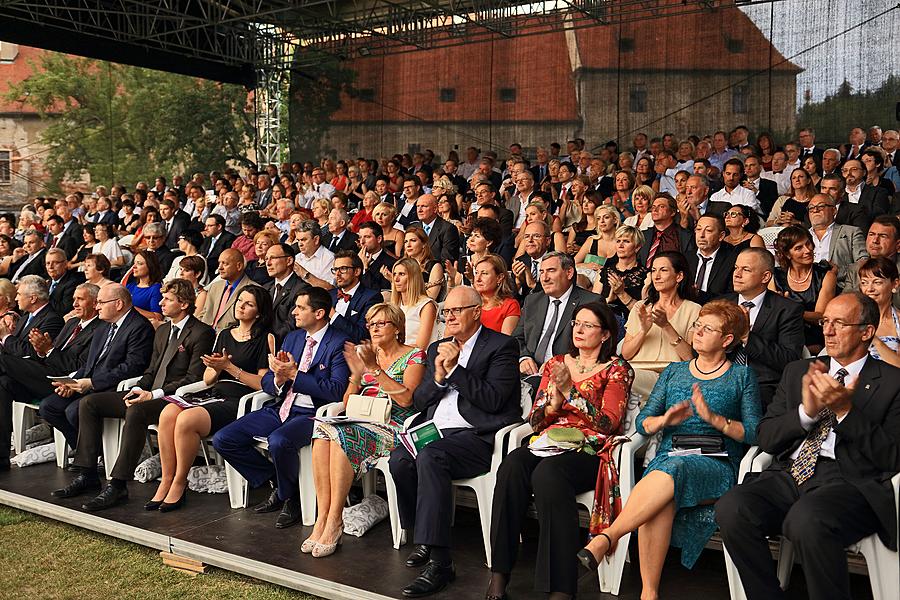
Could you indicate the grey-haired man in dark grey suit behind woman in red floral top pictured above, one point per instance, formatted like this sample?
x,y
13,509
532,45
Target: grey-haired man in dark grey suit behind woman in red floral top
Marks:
x,y
545,328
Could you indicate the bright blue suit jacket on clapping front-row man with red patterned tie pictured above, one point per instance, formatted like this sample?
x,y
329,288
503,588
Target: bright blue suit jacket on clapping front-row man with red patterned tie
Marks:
x,y
326,380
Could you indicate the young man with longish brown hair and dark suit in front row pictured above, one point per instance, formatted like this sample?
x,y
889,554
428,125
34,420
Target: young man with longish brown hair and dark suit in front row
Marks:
x,y
178,346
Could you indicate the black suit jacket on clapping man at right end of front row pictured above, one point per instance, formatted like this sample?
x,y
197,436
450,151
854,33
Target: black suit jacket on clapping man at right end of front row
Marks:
x,y
867,449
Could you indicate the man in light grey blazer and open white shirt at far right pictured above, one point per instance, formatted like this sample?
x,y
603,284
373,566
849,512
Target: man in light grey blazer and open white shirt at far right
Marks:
x,y
841,245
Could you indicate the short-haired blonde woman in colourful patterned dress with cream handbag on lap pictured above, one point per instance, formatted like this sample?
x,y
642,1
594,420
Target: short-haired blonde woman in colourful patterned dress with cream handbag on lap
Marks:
x,y
384,367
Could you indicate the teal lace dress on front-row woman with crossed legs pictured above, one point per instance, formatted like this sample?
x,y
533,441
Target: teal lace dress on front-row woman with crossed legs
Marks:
x,y
698,479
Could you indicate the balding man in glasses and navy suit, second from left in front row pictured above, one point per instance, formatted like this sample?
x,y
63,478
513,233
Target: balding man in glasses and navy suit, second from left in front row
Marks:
x,y
119,349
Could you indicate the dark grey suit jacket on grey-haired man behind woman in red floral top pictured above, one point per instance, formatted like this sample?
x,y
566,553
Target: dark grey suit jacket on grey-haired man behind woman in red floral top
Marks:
x,y
537,305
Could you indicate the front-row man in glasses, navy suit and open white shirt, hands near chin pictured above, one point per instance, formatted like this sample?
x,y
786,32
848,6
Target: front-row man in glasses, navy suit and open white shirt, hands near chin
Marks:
x,y
469,391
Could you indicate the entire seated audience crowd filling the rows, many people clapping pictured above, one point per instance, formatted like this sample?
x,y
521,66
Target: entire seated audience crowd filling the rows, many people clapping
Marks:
x,y
699,276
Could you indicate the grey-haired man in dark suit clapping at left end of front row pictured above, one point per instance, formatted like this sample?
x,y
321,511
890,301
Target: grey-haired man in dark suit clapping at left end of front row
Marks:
x,y
25,378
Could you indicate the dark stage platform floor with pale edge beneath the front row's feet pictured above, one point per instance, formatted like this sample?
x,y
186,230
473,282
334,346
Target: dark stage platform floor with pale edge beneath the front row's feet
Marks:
x,y
368,567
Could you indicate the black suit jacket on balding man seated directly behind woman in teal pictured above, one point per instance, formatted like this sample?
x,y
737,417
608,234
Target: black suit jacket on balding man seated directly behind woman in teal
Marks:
x,y
775,339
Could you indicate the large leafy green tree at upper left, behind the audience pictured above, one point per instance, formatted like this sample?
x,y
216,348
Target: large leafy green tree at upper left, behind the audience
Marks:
x,y
123,124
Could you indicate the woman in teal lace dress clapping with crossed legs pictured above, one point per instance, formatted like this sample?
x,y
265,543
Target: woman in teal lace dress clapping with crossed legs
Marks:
x,y
673,502
